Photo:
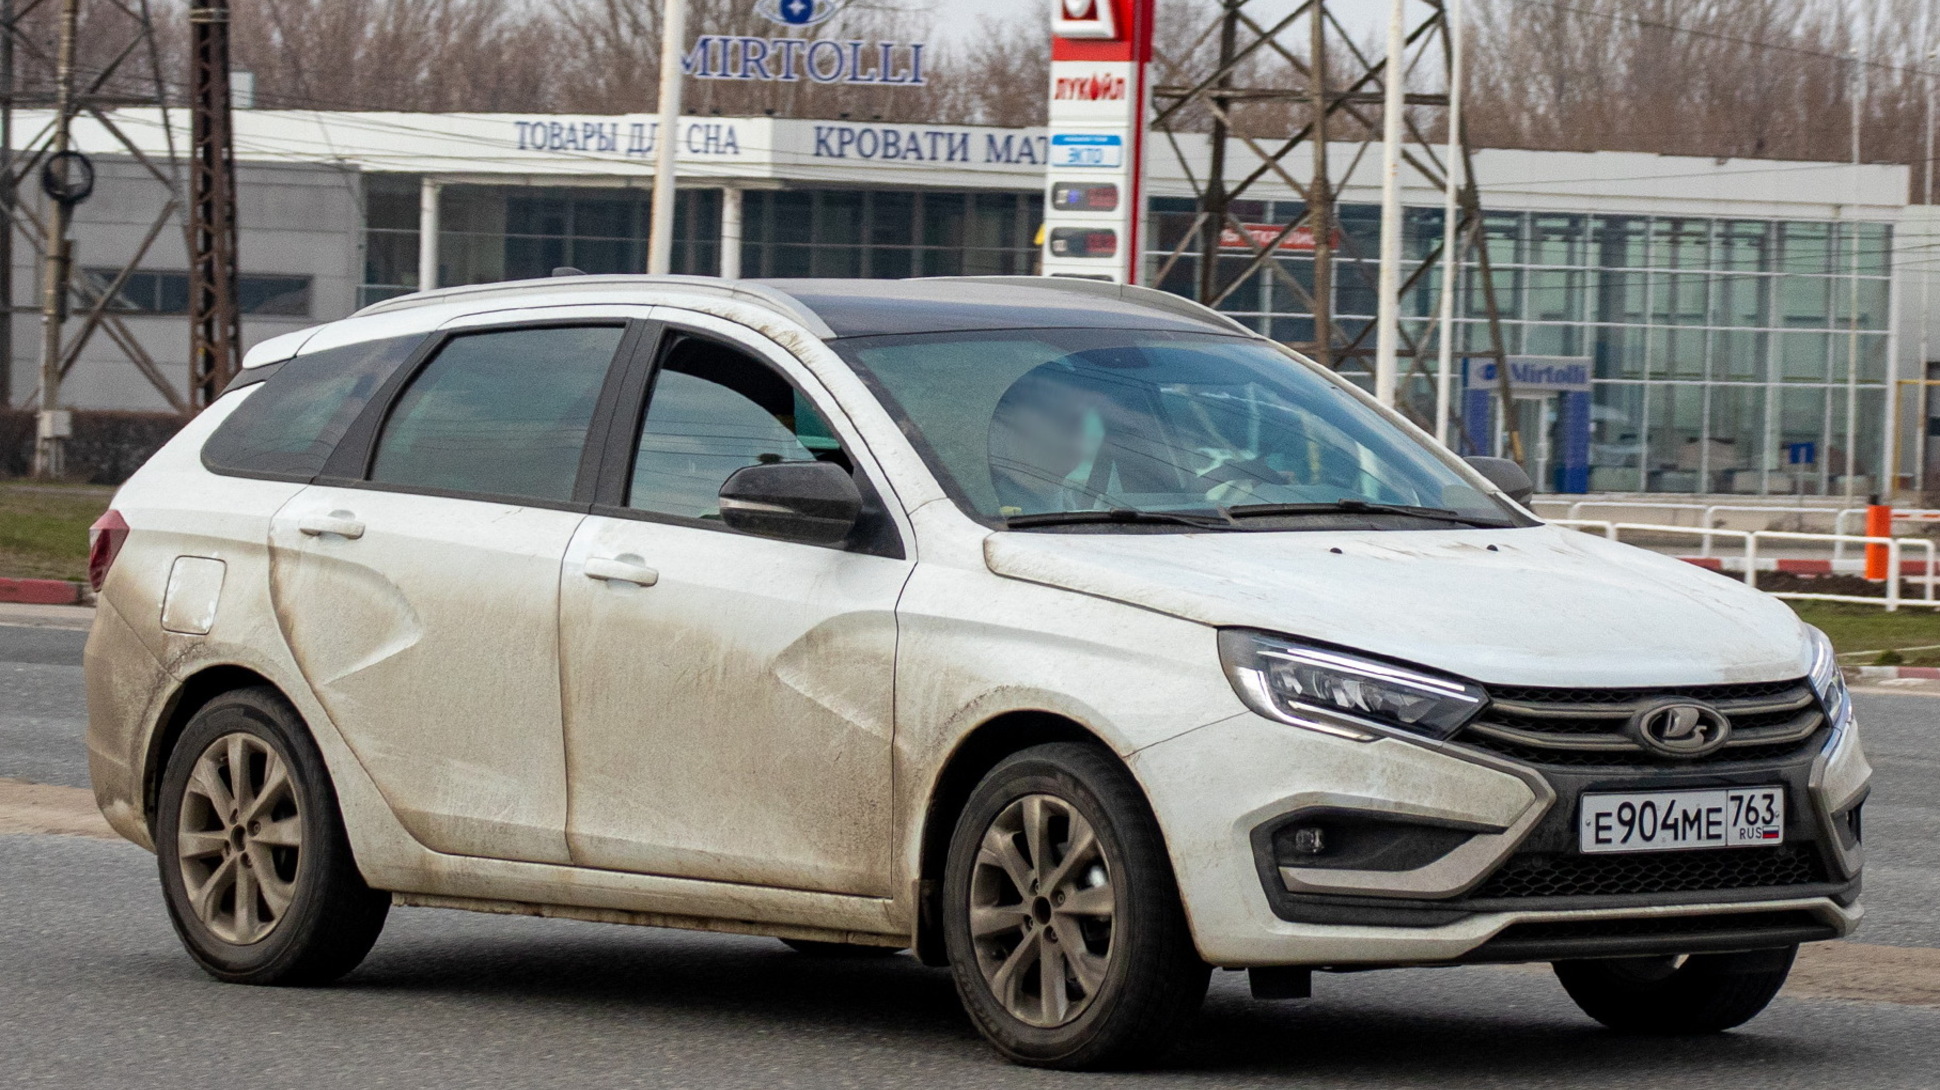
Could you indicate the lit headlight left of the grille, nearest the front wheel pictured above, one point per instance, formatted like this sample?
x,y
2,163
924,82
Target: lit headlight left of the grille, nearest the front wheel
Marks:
x,y
1338,693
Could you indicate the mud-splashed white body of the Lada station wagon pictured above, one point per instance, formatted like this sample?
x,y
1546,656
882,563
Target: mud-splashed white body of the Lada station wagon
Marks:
x,y
556,711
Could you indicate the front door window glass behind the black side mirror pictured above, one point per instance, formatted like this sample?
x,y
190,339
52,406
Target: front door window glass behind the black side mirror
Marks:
x,y
717,410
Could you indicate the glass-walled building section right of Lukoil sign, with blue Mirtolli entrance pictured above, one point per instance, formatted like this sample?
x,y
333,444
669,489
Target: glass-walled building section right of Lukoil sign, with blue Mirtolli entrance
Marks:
x,y
1728,313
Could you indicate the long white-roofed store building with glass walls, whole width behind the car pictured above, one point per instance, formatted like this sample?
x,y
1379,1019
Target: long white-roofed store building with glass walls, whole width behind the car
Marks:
x,y
1741,321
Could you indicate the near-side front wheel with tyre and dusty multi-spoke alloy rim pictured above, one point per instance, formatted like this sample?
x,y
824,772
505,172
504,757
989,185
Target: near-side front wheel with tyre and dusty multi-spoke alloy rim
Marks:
x,y
1058,850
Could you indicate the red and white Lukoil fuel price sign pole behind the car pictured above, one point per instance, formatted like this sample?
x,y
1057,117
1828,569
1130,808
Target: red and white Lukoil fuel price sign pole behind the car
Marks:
x,y
1101,98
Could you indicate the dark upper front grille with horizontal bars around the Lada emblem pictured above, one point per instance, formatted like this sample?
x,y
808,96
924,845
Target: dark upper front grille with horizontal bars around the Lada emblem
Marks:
x,y
1586,728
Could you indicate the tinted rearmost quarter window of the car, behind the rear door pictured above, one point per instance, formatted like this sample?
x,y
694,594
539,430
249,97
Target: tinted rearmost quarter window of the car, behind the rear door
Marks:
x,y
292,424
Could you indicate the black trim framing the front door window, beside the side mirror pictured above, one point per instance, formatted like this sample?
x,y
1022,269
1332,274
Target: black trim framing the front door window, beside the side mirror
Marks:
x,y
882,534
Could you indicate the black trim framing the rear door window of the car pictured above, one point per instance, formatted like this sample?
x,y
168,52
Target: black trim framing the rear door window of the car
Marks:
x,y
354,457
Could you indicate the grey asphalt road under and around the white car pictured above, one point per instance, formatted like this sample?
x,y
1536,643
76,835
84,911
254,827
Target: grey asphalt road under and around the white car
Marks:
x,y
96,992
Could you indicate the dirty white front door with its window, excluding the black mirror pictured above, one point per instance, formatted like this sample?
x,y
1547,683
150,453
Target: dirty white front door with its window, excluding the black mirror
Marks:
x,y
730,697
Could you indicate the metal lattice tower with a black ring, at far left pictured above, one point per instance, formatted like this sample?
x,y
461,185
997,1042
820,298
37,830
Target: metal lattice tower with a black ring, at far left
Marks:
x,y
77,61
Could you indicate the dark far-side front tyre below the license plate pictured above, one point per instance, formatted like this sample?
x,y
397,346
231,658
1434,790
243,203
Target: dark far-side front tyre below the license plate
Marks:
x,y
1702,994
